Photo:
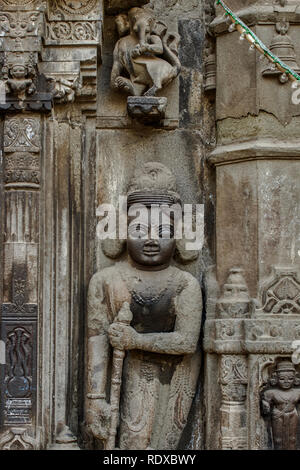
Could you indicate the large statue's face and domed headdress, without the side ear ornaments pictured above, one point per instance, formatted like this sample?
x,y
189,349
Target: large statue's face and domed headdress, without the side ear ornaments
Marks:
x,y
150,242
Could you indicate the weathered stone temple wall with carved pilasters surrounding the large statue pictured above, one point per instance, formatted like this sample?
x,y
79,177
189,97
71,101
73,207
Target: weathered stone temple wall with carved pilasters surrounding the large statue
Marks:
x,y
69,143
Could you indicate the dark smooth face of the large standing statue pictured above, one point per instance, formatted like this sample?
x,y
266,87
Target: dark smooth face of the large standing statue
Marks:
x,y
144,251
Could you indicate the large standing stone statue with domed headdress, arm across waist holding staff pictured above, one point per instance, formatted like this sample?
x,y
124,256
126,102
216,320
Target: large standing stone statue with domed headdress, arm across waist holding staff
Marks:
x,y
152,311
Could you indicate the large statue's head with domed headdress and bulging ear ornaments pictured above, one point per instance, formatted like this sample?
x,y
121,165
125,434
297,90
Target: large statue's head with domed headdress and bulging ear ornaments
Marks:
x,y
152,184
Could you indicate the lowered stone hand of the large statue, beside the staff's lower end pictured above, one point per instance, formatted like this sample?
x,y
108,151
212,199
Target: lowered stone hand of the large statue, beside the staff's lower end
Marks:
x,y
98,413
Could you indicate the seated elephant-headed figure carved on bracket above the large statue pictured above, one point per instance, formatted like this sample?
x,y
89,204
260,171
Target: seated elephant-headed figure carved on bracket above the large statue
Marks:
x,y
146,59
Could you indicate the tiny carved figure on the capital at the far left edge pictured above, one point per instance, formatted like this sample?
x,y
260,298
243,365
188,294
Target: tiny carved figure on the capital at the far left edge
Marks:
x,y
18,75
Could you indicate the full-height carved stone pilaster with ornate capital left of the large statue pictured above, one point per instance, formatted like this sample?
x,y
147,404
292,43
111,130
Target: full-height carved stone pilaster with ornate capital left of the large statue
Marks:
x,y
49,54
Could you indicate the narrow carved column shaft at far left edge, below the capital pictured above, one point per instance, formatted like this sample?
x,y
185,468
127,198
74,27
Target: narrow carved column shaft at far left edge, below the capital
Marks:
x,y
20,300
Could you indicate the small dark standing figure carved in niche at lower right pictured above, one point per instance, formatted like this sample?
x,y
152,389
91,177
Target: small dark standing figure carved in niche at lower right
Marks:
x,y
280,403
